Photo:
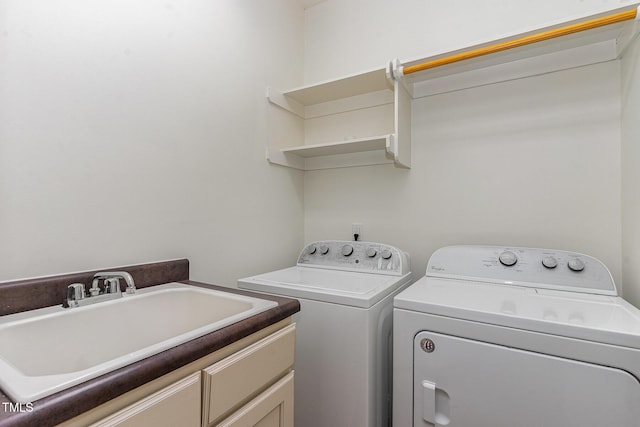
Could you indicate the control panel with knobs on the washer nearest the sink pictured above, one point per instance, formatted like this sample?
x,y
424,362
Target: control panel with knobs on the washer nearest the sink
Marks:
x,y
355,256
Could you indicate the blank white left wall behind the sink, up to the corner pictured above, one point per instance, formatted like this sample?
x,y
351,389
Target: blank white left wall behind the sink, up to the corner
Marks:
x,y
135,131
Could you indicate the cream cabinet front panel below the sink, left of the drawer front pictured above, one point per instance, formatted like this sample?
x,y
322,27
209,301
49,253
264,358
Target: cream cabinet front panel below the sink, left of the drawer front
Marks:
x,y
174,405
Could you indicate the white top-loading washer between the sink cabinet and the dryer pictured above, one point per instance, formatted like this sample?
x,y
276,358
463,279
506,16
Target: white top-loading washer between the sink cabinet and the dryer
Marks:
x,y
343,342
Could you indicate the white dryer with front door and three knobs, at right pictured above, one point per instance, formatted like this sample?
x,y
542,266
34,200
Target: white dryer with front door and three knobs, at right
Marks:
x,y
496,336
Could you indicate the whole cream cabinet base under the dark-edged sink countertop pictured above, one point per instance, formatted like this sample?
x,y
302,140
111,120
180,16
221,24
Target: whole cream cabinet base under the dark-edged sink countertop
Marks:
x,y
248,383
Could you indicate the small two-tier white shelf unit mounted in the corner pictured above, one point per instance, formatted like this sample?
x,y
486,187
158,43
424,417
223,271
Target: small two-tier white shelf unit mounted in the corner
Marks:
x,y
347,122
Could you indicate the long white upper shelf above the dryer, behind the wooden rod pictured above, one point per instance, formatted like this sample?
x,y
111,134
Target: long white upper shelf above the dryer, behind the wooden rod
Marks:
x,y
582,48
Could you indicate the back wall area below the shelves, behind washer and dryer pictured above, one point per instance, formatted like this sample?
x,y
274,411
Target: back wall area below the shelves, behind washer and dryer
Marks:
x,y
532,162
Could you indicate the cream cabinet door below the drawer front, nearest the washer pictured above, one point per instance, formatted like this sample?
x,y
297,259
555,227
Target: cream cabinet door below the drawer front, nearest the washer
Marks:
x,y
272,408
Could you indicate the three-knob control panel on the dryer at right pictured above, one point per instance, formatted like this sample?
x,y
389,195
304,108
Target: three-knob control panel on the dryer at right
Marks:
x,y
530,267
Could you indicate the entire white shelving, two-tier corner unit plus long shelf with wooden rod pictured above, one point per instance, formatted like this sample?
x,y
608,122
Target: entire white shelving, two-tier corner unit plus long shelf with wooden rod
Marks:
x,y
333,121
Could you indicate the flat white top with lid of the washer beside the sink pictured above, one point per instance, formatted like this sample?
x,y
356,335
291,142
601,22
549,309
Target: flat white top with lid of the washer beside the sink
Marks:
x,y
339,287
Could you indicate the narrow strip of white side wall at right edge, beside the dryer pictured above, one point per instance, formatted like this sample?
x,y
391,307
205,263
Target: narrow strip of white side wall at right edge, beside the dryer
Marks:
x,y
631,173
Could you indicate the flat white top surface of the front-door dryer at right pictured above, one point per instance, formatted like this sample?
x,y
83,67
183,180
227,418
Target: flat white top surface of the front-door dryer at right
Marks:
x,y
600,318
